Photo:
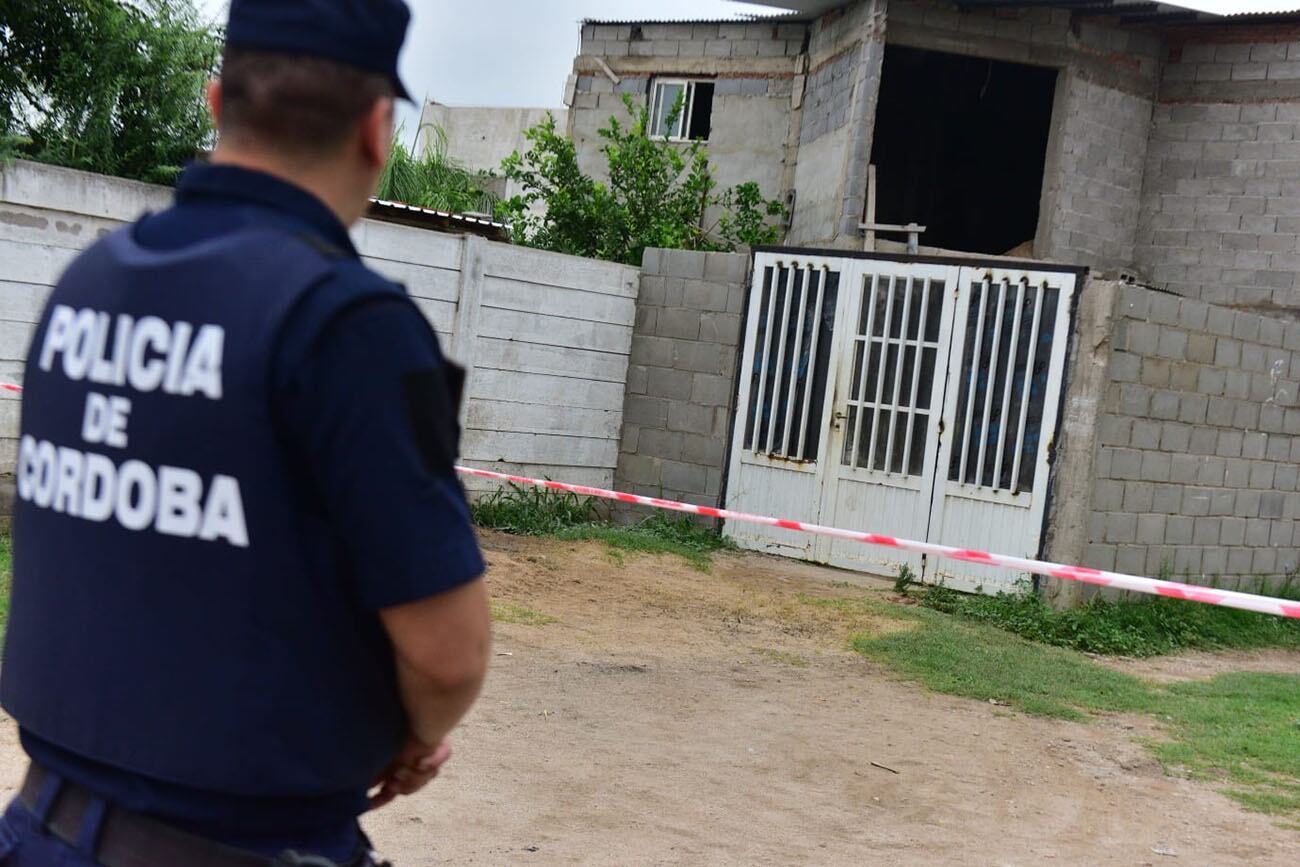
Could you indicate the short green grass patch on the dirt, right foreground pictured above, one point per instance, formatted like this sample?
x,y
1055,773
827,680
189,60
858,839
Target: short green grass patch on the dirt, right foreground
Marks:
x,y
1238,730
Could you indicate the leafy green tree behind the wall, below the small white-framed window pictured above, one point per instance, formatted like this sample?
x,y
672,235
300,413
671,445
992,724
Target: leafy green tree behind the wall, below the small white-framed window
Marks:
x,y
660,194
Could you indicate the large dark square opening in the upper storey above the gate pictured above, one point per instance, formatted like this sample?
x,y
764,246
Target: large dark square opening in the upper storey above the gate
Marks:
x,y
960,149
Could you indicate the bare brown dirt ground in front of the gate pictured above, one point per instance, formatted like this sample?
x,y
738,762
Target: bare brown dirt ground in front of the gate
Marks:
x,y
670,717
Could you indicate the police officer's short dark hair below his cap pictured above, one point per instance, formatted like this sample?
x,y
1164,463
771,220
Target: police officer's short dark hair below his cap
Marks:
x,y
296,103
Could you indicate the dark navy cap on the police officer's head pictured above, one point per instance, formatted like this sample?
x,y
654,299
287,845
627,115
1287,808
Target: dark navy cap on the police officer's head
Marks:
x,y
366,34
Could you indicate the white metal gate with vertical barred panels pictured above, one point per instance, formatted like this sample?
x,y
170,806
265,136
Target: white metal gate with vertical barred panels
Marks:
x,y
909,398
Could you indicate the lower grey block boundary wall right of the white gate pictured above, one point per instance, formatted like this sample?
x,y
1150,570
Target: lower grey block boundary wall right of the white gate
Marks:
x,y
1198,443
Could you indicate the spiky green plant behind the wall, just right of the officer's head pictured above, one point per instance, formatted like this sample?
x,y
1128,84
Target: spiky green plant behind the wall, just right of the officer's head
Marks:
x,y
435,180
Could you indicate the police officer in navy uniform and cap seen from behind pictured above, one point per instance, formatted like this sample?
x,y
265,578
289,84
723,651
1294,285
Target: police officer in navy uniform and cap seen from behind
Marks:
x,y
248,601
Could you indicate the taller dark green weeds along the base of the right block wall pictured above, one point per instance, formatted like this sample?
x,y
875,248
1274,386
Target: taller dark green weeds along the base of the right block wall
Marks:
x,y
1146,627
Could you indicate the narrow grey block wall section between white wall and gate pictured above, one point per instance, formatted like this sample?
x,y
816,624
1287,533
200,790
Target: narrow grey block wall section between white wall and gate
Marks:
x,y
682,380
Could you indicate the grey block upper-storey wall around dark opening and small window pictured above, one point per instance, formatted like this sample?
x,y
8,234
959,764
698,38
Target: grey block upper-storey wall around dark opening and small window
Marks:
x,y
812,129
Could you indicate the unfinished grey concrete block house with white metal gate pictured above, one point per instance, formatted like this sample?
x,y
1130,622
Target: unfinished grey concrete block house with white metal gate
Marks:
x,y
1038,288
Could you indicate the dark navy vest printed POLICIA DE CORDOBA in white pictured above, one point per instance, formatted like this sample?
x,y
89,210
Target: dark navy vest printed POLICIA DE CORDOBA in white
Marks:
x,y
180,608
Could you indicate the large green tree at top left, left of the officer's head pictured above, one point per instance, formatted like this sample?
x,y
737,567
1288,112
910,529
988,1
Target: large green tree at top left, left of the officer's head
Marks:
x,y
106,85
